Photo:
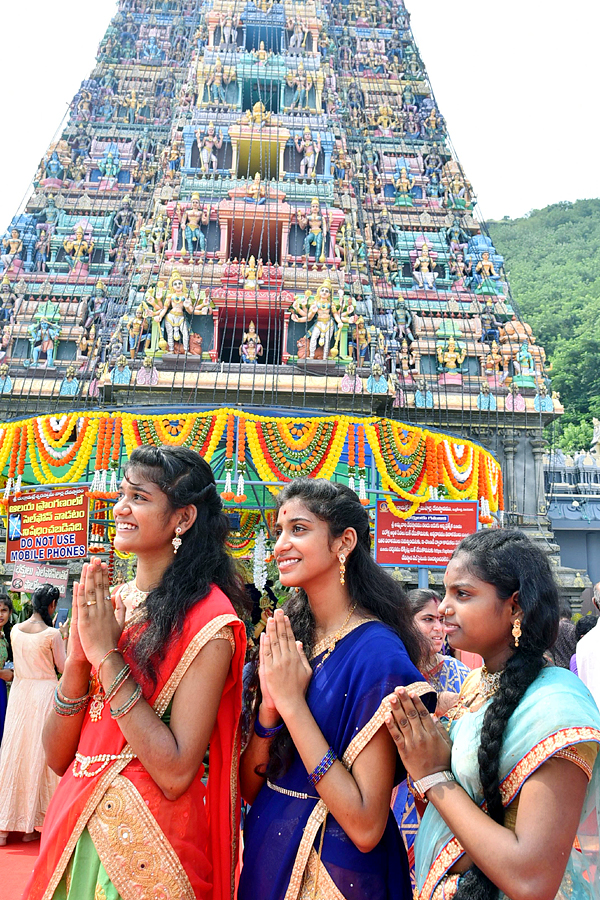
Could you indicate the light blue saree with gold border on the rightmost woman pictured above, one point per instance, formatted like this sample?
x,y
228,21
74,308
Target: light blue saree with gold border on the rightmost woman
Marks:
x,y
556,712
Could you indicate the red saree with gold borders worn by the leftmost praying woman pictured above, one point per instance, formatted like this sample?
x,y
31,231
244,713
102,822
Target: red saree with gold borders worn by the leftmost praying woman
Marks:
x,y
150,847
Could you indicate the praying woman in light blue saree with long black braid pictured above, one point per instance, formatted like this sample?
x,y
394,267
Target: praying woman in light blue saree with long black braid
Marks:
x,y
512,789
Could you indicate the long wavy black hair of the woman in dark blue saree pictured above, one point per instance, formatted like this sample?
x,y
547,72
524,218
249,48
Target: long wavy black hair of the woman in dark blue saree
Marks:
x,y
369,586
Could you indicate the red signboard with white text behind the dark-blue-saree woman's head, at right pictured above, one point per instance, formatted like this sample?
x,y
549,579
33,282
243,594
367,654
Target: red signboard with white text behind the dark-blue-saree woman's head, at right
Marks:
x,y
428,538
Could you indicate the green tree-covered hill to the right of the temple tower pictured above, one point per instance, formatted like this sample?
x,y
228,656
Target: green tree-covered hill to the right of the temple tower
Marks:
x,y
552,258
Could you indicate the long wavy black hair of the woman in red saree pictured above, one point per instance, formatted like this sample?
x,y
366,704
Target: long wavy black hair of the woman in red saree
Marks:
x,y
202,561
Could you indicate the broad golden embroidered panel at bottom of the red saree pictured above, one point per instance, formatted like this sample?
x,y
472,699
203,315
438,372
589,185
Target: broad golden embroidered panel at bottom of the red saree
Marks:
x,y
137,855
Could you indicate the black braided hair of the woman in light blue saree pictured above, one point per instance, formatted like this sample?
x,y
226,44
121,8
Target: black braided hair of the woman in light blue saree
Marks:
x,y
511,562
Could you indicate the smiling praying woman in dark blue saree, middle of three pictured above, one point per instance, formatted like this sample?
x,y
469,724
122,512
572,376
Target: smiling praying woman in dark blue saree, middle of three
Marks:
x,y
319,768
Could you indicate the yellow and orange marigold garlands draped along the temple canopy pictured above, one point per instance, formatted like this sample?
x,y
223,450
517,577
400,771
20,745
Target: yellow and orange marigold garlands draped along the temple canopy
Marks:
x,y
412,463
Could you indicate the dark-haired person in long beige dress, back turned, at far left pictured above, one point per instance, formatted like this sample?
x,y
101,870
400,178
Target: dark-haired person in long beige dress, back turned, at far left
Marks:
x,y
26,782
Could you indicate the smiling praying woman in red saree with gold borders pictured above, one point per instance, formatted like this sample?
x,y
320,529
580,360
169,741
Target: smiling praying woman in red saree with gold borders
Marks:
x,y
132,817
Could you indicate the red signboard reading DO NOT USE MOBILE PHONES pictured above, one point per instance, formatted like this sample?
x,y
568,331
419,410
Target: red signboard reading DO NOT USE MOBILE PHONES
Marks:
x,y
48,526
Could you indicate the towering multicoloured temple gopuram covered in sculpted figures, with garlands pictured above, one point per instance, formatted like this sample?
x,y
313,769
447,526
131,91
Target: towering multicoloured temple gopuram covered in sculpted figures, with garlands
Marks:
x,y
253,237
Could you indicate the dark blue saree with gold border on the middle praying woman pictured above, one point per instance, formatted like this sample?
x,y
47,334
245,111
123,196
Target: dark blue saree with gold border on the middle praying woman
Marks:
x,y
284,856
